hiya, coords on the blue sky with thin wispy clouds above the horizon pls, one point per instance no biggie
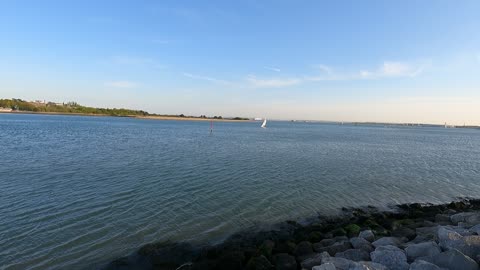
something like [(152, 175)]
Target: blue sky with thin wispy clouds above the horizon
[(384, 61)]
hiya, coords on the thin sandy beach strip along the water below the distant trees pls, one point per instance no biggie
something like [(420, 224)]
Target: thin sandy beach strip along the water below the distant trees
[(151, 117)]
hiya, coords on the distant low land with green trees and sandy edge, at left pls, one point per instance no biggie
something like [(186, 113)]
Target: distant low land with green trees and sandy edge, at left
[(15, 105)]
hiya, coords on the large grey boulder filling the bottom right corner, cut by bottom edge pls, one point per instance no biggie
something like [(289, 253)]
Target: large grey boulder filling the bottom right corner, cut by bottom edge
[(453, 260)]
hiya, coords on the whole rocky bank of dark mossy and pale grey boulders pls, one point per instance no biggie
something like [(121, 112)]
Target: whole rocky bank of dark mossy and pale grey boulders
[(409, 236)]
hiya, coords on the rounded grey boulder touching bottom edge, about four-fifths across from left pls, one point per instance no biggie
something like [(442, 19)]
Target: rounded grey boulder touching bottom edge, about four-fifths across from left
[(390, 256)]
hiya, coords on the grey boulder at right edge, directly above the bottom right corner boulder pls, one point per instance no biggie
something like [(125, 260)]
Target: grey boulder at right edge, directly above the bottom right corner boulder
[(468, 245)]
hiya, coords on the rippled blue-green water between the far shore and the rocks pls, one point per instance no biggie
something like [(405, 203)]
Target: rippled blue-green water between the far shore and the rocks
[(77, 192)]
